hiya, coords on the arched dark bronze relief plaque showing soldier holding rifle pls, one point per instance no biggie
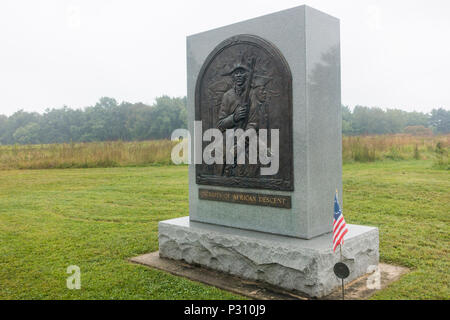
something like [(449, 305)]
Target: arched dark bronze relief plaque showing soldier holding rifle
[(245, 83)]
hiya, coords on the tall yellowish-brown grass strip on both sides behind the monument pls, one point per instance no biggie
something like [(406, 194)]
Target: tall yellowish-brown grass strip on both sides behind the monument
[(142, 153)]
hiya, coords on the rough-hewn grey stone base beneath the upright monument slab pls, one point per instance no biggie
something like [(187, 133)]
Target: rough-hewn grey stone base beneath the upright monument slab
[(304, 266)]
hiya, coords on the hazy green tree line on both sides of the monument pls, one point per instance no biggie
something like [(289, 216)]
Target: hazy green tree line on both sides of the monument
[(108, 120)]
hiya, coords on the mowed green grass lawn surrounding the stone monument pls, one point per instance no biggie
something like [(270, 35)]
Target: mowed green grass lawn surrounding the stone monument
[(97, 218)]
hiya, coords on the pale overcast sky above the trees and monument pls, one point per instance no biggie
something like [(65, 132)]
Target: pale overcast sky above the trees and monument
[(395, 54)]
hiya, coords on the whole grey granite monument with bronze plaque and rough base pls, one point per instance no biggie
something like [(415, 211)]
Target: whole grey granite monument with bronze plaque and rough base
[(276, 72)]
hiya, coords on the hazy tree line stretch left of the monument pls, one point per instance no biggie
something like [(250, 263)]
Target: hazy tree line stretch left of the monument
[(107, 120)]
